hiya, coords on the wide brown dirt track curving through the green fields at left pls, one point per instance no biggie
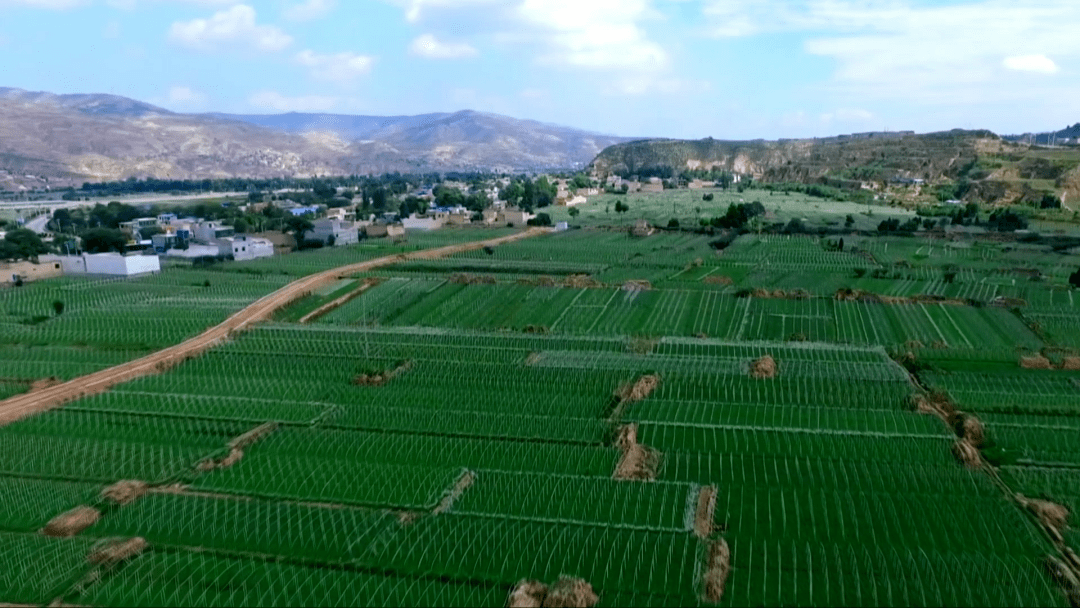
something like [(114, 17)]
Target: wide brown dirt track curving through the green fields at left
[(28, 404)]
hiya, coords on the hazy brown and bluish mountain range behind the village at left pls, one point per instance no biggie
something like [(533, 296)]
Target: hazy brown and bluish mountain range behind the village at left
[(59, 141)]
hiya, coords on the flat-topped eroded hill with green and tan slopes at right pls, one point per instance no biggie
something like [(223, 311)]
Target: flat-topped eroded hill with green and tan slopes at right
[(989, 169)]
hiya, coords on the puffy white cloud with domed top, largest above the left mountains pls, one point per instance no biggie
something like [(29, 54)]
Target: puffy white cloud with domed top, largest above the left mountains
[(235, 28)]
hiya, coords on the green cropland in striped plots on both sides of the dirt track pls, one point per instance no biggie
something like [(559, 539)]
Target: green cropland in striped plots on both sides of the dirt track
[(666, 424)]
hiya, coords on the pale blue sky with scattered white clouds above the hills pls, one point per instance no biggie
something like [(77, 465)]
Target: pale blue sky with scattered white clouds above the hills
[(730, 70)]
